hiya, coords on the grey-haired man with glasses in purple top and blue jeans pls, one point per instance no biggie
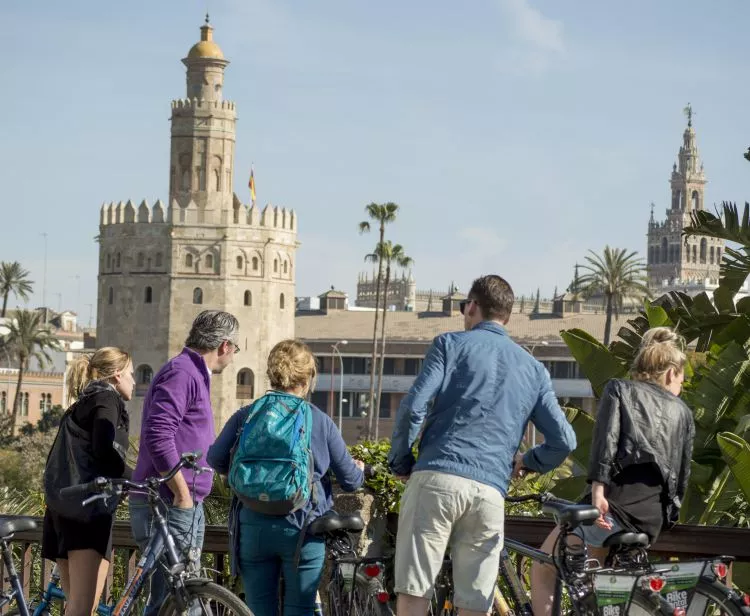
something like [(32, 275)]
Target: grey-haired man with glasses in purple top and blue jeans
[(177, 418)]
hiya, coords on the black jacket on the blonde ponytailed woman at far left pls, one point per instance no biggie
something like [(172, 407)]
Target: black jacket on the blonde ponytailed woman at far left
[(100, 410)]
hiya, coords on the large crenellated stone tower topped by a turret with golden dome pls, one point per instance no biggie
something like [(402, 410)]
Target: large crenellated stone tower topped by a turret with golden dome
[(160, 266)]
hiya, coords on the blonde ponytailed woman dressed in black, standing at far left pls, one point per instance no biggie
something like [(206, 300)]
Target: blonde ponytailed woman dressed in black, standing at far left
[(95, 426)]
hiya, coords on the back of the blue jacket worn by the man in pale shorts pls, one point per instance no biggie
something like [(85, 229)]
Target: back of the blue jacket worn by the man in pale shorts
[(491, 390)]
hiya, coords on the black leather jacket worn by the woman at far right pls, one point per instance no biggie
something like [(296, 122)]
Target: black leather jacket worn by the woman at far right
[(641, 422)]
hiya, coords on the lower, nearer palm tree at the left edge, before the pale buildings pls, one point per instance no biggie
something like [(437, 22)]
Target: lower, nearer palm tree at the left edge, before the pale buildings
[(29, 337)]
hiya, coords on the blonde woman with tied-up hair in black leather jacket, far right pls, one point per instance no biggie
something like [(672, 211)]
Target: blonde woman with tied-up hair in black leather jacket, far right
[(640, 454)]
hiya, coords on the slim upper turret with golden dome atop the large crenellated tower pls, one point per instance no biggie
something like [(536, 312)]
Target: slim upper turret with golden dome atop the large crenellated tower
[(203, 132)]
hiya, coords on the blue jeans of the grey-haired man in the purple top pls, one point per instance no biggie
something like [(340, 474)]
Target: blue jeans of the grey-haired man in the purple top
[(187, 527)]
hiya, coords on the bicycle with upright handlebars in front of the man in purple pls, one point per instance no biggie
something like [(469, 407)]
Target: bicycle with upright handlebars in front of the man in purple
[(185, 590)]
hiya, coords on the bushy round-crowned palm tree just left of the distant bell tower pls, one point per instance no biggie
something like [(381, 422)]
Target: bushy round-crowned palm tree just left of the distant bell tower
[(616, 274)]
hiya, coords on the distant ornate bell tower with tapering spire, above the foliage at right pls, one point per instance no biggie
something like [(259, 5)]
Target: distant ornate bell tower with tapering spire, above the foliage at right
[(673, 263)]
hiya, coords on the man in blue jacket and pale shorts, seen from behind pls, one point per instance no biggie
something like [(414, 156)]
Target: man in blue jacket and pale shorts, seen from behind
[(475, 395)]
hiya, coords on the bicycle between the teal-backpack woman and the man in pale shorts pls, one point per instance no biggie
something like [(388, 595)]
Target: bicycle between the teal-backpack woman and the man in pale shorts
[(356, 584)]
